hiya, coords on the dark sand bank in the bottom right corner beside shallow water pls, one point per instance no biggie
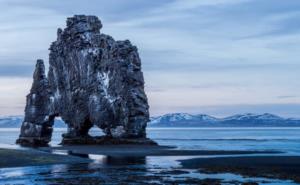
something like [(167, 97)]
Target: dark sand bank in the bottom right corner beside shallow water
[(279, 167)]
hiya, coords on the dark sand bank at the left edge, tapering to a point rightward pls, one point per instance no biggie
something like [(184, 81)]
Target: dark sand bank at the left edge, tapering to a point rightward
[(30, 157)]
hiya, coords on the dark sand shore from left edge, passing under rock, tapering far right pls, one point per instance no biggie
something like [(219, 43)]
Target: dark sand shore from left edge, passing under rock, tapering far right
[(74, 154)]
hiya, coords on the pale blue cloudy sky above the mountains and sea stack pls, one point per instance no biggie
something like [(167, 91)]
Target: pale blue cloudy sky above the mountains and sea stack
[(217, 57)]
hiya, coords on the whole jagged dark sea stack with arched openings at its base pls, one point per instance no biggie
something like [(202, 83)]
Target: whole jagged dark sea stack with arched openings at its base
[(92, 80)]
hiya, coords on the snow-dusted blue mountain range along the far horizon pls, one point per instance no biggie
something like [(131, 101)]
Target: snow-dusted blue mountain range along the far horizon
[(189, 120)]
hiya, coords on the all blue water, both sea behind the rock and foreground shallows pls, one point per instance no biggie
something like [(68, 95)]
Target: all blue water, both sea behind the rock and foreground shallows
[(115, 170)]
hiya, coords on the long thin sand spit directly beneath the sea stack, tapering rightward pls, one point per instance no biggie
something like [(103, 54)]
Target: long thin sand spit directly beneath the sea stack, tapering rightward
[(142, 150)]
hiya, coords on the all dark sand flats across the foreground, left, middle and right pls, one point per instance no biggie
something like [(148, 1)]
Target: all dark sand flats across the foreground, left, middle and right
[(276, 167)]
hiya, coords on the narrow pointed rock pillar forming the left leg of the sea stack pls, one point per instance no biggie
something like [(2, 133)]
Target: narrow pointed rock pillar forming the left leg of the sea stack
[(37, 126)]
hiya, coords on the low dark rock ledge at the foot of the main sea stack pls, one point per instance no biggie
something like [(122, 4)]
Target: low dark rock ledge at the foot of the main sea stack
[(105, 140)]
